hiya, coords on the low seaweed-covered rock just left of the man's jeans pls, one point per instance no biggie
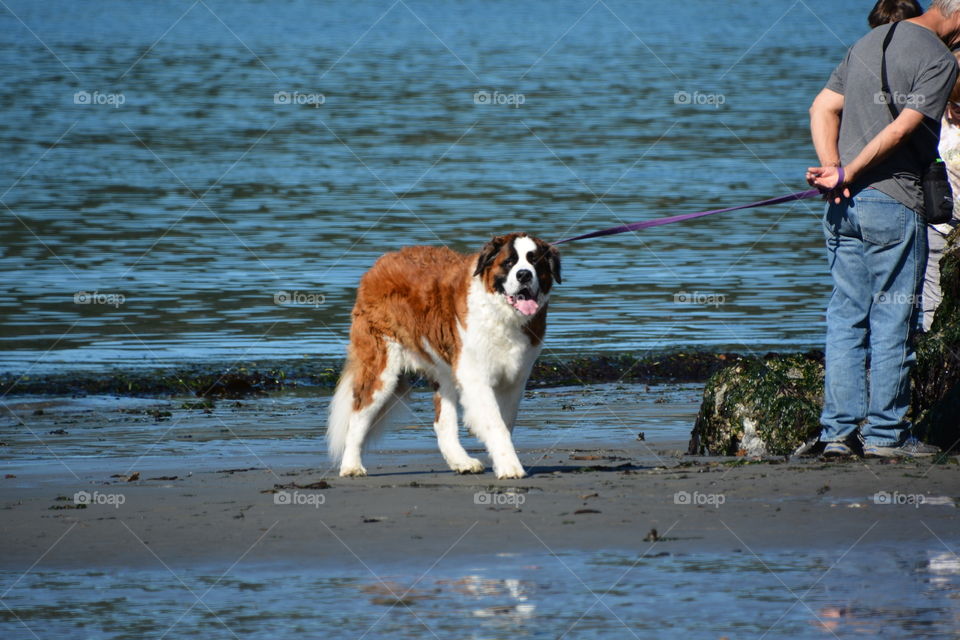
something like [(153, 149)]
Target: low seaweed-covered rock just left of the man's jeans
[(760, 407)]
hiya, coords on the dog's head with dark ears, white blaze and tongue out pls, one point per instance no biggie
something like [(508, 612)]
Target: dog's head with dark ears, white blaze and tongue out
[(520, 268)]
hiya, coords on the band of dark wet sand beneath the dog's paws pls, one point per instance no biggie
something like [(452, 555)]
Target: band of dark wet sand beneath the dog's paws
[(410, 508)]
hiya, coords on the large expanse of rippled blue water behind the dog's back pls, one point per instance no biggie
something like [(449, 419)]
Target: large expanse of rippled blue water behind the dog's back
[(163, 229)]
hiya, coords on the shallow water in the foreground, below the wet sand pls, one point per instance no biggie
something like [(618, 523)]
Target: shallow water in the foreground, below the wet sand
[(866, 593)]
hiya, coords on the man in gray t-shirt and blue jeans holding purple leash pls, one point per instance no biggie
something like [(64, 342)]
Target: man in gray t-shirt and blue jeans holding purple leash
[(876, 242)]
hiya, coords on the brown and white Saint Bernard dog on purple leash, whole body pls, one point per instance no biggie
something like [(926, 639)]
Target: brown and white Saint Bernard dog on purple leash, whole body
[(472, 324)]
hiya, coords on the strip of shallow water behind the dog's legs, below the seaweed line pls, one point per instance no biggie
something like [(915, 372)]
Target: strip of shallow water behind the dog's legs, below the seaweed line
[(287, 428)]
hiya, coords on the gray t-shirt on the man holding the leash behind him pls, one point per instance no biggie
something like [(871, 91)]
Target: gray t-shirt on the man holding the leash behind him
[(921, 72)]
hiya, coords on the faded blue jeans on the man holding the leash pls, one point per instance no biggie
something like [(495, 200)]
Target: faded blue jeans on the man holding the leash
[(877, 250)]
